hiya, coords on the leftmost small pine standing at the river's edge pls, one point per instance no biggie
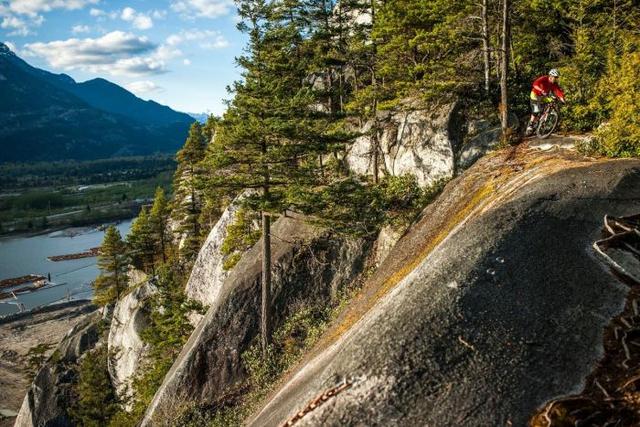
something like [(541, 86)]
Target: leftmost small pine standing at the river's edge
[(113, 264)]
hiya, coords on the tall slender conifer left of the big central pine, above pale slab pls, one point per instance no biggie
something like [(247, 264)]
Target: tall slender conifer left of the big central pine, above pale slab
[(188, 194)]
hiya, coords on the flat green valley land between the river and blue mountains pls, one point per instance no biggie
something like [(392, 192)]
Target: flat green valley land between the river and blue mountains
[(53, 195)]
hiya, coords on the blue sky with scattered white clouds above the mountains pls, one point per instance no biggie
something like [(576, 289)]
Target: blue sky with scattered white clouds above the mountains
[(179, 53)]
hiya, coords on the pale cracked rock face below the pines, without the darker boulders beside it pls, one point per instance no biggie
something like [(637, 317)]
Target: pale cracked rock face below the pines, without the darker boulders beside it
[(420, 142)]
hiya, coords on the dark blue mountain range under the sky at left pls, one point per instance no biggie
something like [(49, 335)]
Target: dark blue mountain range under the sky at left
[(47, 116)]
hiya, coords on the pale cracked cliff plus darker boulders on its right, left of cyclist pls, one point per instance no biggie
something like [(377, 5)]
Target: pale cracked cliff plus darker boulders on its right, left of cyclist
[(431, 143)]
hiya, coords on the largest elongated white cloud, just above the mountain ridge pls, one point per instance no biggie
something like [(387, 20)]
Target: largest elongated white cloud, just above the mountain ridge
[(115, 53)]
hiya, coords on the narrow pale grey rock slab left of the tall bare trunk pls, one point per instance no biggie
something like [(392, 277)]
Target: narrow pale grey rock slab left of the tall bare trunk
[(208, 274)]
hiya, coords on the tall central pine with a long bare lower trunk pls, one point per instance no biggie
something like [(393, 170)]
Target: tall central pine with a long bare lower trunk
[(271, 137)]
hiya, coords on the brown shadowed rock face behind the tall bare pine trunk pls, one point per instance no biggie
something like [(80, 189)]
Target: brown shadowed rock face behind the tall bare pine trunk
[(308, 265)]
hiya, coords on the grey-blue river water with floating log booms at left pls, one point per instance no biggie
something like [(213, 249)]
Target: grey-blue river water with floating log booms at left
[(20, 256)]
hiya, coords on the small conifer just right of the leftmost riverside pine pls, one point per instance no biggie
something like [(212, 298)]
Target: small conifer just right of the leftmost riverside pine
[(141, 242)]
